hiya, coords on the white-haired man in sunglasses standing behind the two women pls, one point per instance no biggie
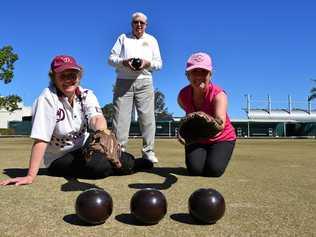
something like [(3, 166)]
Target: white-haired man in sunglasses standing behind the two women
[(135, 56)]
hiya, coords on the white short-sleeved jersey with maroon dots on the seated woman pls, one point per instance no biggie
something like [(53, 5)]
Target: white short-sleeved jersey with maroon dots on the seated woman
[(64, 127)]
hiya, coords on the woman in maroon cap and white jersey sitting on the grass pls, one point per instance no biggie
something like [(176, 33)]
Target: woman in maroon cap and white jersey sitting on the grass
[(62, 115)]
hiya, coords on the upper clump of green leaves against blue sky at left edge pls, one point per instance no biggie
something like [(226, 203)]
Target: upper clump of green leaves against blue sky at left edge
[(7, 60)]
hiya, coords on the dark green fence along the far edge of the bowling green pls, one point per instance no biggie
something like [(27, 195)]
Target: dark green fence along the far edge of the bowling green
[(243, 129)]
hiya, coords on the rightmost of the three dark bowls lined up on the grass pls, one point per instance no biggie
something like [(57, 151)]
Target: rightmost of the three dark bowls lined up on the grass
[(206, 206)]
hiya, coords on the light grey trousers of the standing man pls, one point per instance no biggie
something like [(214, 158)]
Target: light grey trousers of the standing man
[(141, 93)]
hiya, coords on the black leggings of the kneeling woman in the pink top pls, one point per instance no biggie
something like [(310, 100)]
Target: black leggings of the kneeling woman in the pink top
[(208, 159)]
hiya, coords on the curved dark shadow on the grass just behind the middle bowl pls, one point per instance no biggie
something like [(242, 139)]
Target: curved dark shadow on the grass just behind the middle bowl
[(166, 172)]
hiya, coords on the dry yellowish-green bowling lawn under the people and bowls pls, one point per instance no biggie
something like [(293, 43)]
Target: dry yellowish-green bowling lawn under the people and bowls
[(269, 188)]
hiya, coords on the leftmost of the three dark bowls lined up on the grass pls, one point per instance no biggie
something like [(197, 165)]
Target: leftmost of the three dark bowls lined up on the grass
[(94, 206)]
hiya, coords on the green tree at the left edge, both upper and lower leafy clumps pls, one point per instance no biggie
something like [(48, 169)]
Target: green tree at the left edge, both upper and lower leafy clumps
[(7, 60)]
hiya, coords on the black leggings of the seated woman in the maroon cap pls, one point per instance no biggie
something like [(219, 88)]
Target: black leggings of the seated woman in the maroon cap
[(73, 164)]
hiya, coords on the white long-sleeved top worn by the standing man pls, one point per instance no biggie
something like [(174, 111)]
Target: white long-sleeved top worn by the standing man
[(128, 46)]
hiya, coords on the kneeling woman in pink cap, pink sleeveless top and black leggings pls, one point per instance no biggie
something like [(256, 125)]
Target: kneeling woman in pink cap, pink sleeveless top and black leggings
[(211, 156)]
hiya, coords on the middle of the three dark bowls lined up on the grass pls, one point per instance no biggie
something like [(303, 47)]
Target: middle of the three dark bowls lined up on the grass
[(148, 206)]
